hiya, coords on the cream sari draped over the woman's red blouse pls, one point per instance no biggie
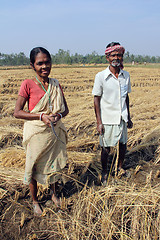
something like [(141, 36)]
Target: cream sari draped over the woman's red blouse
[(45, 154)]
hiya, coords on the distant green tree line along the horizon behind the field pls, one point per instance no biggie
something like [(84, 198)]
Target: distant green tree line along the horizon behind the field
[(64, 57)]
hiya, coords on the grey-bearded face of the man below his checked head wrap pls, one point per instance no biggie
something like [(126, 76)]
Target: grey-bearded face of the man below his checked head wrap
[(115, 59)]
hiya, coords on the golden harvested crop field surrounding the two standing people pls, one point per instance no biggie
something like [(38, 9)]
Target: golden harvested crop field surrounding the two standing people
[(127, 208)]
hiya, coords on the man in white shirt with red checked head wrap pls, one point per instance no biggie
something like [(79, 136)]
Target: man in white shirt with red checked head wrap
[(111, 103)]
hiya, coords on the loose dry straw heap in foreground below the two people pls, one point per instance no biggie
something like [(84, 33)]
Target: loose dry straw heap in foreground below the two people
[(117, 211)]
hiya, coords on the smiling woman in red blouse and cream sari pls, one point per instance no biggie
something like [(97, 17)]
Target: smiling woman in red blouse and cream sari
[(45, 145)]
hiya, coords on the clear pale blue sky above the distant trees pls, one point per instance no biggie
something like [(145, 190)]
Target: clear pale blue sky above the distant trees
[(80, 26)]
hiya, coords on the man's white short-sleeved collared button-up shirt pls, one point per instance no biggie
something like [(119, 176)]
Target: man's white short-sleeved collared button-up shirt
[(113, 92)]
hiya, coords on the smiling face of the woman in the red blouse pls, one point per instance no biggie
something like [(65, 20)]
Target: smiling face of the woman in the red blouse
[(42, 65)]
